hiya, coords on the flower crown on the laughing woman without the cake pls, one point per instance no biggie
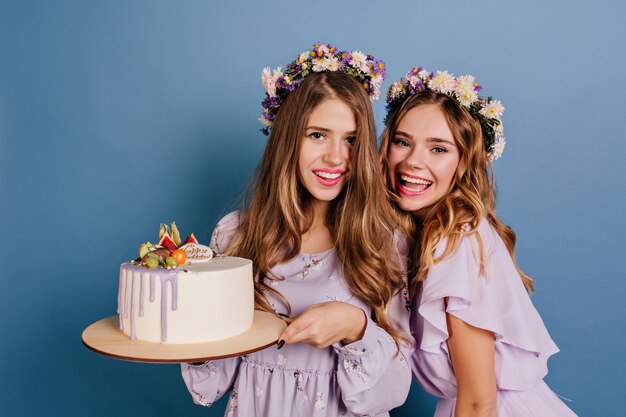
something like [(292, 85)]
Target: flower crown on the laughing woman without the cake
[(464, 90)]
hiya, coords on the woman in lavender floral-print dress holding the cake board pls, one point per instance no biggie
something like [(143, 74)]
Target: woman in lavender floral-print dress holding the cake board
[(323, 253)]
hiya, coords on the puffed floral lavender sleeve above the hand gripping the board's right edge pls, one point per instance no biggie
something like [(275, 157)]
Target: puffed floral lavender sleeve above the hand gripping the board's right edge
[(372, 377)]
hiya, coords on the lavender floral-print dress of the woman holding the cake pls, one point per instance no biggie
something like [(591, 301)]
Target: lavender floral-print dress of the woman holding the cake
[(362, 378)]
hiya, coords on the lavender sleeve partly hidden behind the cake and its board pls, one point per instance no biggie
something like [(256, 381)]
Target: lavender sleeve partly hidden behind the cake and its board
[(209, 381)]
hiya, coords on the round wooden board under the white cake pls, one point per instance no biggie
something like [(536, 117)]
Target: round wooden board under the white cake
[(106, 338)]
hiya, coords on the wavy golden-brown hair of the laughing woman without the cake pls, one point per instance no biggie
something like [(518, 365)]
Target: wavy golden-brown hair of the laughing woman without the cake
[(472, 197)]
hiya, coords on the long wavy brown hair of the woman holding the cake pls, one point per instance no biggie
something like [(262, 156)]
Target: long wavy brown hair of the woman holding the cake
[(278, 209)]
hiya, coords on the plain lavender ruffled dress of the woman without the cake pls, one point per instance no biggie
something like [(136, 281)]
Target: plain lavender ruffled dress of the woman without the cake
[(496, 301)]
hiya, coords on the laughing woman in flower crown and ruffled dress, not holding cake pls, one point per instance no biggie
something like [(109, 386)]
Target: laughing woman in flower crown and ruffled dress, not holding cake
[(481, 346)]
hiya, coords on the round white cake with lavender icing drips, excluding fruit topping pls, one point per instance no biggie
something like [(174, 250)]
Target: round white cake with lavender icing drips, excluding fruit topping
[(195, 303)]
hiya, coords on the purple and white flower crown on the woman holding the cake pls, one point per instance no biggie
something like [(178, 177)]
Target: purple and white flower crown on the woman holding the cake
[(369, 72)]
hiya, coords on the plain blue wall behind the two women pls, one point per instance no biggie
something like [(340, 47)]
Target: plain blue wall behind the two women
[(116, 116)]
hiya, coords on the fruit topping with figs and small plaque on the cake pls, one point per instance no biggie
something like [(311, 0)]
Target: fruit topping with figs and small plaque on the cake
[(171, 252)]
